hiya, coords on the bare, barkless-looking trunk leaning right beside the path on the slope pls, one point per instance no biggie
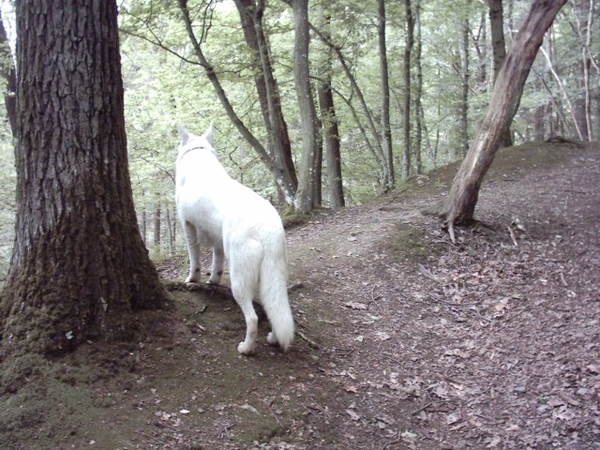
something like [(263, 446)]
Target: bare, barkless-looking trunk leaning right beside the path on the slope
[(460, 204)]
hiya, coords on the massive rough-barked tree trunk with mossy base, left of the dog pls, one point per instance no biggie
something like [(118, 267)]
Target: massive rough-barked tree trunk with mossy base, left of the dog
[(79, 268)]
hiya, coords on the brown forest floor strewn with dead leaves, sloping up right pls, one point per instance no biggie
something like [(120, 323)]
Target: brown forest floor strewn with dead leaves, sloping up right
[(405, 340)]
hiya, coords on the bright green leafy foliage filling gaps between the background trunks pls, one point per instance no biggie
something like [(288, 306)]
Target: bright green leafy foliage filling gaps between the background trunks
[(165, 85)]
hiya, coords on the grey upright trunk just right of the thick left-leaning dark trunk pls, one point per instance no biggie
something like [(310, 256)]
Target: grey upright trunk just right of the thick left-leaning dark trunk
[(305, 200)]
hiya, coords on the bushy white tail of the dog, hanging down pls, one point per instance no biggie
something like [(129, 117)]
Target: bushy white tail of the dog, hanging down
[(273, 292)]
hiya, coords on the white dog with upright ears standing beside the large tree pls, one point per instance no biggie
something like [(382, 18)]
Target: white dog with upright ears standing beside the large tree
[(216, 211)]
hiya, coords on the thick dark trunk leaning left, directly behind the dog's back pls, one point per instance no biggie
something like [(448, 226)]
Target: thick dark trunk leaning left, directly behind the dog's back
[(251, 14)]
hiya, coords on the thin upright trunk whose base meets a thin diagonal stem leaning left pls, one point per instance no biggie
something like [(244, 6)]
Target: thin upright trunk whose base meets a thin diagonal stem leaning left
[(386, 129)]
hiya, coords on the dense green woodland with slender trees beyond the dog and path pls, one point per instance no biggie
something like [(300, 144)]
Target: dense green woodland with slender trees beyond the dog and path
[(395, 89)]
